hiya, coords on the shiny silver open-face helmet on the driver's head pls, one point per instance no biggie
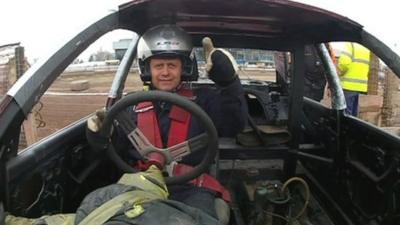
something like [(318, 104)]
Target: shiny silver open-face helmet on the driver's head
[(167, 41)]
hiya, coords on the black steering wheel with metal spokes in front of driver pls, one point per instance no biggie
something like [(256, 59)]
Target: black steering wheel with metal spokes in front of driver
[(208, 139)]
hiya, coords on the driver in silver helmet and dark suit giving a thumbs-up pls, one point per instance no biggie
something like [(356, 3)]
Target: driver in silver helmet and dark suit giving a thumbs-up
[(167, 61)]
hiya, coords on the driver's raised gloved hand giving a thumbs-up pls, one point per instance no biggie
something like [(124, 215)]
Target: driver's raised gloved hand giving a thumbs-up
[(221, 66)]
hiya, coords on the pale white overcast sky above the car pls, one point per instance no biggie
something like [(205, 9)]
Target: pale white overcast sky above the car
[(44, 25)]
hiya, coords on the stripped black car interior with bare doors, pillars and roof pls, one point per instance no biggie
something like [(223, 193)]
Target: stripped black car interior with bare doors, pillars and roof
[(339, 169)]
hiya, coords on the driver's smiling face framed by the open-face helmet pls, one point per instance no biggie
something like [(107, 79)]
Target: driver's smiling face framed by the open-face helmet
[(165, 73)]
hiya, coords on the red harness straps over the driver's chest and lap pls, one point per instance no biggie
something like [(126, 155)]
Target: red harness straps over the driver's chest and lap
[(147, 122)]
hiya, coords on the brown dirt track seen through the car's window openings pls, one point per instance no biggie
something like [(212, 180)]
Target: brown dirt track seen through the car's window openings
[(60, 106)]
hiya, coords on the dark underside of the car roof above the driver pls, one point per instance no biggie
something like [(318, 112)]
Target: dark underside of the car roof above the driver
[(262, 24)]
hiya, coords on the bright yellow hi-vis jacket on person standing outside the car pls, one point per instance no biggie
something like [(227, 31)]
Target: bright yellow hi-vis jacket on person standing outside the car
[(354, 67)]
